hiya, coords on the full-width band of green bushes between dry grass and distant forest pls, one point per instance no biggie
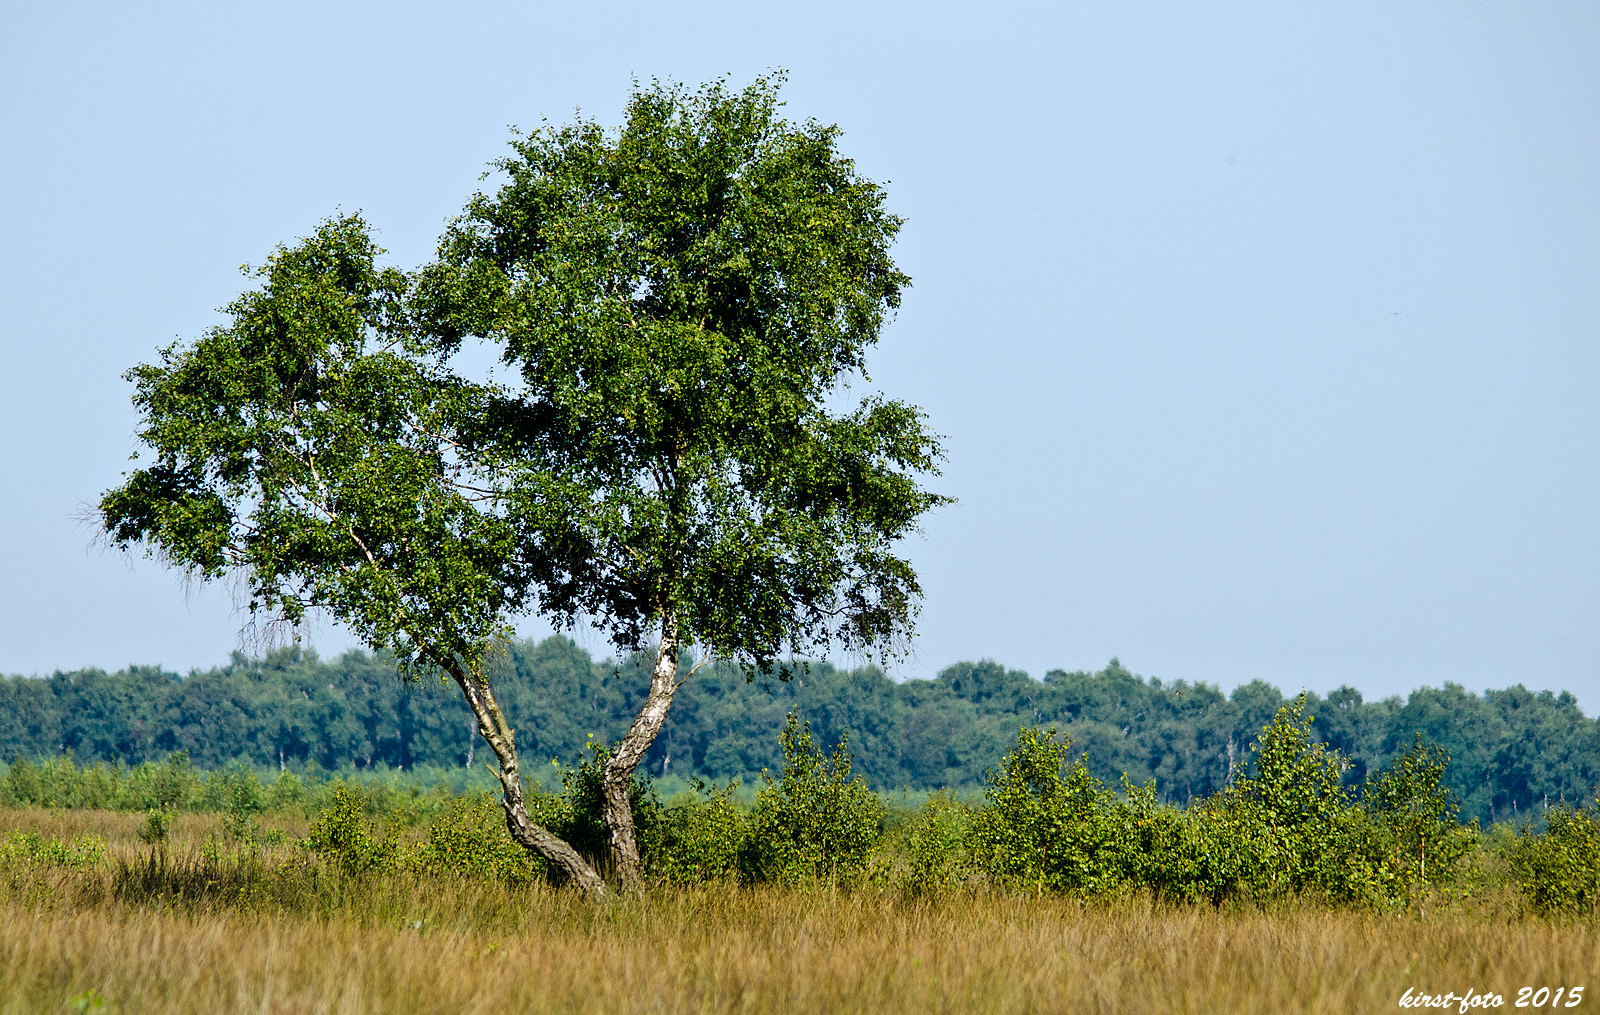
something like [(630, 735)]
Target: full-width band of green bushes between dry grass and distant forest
[(1289, 828)]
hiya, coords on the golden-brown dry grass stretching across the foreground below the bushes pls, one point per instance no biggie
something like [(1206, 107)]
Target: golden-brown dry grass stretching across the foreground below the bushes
[(444, 947)]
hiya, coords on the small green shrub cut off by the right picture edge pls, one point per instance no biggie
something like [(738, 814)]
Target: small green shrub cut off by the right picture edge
[(1559, 870)]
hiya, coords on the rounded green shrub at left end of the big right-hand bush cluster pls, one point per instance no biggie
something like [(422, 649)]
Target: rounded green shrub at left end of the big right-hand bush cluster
[(1046, 825)]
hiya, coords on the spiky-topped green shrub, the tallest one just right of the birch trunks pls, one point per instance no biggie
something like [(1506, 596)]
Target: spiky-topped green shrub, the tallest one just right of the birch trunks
[(815, 822)]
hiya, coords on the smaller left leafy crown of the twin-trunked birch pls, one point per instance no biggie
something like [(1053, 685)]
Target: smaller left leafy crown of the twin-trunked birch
[(306, 447)]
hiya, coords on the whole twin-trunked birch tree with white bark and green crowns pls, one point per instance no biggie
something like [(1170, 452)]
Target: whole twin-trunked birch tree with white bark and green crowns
[(679, 302)]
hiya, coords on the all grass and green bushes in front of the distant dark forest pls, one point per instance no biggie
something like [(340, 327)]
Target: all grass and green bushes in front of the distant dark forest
[(161, 886)]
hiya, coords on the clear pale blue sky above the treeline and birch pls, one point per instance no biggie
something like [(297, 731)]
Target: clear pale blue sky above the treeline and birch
[(1266, 337)]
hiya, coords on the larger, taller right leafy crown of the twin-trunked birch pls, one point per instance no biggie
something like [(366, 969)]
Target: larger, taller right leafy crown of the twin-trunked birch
[(679, 300)]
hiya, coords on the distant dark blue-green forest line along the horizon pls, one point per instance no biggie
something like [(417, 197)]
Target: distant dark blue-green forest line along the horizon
[(1511, 750)]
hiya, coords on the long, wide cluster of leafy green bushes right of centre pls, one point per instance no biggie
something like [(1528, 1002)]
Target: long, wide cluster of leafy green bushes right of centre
[(1292, 828)]
